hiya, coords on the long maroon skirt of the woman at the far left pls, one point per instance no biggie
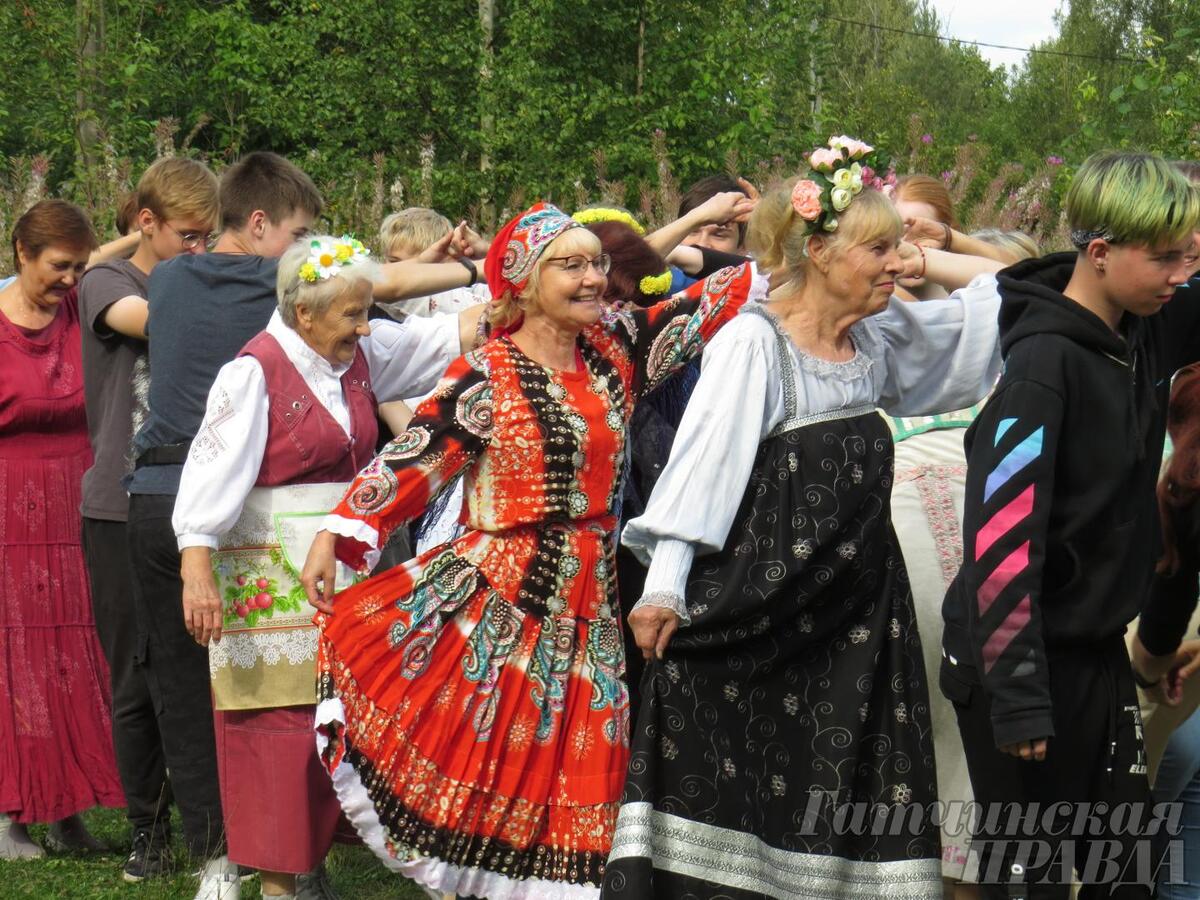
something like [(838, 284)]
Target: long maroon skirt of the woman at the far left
[(56, 711)]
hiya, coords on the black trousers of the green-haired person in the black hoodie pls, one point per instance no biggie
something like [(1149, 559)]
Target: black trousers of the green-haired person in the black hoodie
[(1087, 807)]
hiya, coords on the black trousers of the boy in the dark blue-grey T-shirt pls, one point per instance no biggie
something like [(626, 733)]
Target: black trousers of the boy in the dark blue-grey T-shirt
[(177, 671)]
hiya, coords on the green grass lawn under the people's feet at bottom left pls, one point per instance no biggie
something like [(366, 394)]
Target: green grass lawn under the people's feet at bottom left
[(355, 872)]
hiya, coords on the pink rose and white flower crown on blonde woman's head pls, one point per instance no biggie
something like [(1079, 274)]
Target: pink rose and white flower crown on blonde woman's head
[(839, 173)]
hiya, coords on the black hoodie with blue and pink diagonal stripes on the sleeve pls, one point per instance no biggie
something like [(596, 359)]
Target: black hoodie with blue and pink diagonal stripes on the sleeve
[(1060, 531)]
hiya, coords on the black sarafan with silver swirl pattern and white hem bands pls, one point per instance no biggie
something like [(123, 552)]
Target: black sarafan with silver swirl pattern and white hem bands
[(785, 741)]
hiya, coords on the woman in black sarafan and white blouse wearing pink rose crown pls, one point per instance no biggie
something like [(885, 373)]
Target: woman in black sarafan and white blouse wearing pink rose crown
[(785, 712)]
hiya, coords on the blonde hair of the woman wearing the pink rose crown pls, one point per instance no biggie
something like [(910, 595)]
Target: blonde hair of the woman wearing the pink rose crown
[(779, 238)]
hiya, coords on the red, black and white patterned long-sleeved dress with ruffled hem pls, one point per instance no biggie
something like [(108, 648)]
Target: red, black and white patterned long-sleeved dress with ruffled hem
[(473, 710)]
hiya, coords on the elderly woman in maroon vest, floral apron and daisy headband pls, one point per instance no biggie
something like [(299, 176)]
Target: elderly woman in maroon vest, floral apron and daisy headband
[(289, 425)]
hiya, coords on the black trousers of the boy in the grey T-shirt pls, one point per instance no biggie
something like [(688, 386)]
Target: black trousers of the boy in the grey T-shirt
[(140, 760)]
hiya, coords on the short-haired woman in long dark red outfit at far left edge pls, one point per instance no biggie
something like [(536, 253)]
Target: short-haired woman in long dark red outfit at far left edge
[(56, 729)]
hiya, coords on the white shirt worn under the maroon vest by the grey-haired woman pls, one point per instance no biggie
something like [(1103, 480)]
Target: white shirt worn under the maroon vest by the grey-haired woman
[(405, 359)]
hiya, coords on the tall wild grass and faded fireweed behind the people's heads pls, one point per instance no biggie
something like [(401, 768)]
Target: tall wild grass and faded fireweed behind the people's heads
[(988, 193)]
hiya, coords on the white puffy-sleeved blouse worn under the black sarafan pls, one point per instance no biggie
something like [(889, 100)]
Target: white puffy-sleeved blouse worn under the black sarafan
[(911, 359)]
